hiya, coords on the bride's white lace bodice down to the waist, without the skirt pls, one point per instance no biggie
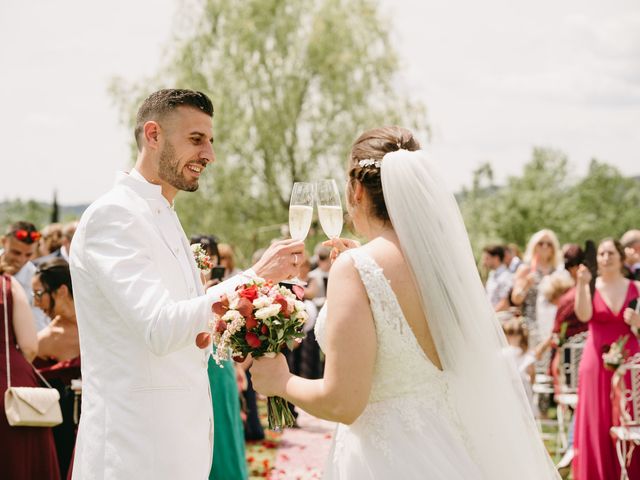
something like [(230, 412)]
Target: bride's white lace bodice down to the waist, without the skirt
[(401, 368)]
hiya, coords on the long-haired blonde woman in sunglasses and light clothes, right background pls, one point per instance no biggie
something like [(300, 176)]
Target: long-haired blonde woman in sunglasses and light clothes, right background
[(542, 257)]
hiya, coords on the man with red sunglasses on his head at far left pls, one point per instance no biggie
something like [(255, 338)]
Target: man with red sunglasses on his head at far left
[(19, 245)]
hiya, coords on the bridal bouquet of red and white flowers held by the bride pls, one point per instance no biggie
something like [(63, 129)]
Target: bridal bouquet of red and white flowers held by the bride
[(259, 318)]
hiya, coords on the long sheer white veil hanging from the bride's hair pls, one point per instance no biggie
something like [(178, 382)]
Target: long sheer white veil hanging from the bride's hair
[(485, 387)]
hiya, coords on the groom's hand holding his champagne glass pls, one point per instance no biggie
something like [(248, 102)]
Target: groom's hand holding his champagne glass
[(281, 261)]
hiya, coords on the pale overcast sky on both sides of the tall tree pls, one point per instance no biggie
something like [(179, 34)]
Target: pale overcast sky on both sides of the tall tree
[(498, 77)]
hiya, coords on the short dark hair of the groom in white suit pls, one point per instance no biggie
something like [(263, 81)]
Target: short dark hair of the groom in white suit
[(159, 103)]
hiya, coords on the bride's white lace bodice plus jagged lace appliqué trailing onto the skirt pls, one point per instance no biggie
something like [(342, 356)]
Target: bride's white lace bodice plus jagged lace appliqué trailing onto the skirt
[(406, 384)]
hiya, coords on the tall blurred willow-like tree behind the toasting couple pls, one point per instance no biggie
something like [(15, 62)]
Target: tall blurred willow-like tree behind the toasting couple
[(293, 83)]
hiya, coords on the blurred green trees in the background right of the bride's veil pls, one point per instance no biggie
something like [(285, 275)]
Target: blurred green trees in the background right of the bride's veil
[(604, 203)]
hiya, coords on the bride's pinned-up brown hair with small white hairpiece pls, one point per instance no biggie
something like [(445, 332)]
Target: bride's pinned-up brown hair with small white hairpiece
[(364, 161)]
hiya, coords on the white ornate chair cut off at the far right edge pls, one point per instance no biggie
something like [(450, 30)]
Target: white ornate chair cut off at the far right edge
[(626, 405)]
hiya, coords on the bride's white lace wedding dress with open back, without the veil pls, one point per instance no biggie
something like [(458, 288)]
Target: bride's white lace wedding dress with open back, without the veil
[(408, 429)]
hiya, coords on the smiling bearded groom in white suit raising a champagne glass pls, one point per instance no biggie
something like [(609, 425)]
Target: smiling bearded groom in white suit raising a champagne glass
[(146, 407)]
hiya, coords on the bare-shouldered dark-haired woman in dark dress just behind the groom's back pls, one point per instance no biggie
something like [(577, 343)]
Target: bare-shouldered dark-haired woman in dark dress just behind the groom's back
[(59, 349)]
